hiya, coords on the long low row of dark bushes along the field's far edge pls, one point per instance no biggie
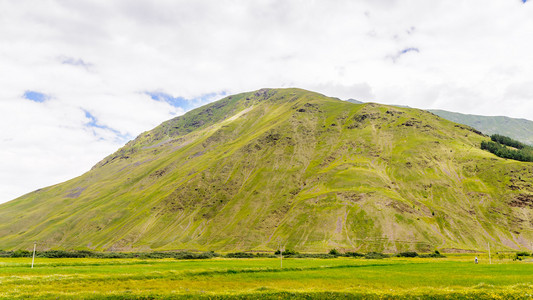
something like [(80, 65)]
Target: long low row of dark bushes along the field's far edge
[(205, 255)]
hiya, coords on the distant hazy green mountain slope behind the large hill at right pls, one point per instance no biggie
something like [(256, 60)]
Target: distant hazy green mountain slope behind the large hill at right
[(519, 129)]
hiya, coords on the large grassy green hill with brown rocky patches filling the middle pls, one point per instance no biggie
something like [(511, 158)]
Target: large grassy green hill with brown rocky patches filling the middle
[(287, 166)]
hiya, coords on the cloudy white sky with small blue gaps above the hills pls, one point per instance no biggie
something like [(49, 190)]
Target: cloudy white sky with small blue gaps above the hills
[(78, 79)]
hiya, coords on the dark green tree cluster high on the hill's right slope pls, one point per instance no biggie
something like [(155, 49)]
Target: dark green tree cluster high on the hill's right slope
[(498, 147)]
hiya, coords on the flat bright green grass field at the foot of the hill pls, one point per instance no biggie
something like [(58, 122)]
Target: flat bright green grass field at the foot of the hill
[(345, 278)]
